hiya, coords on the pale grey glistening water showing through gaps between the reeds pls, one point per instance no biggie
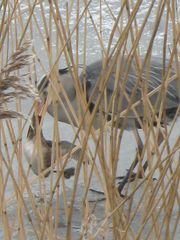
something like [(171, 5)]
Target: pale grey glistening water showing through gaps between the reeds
[(93, 53)]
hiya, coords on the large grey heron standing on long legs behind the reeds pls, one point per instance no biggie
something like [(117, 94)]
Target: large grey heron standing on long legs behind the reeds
[(124, 83)]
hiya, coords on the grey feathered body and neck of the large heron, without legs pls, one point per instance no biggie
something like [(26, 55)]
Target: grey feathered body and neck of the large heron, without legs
[(128, 87)]
